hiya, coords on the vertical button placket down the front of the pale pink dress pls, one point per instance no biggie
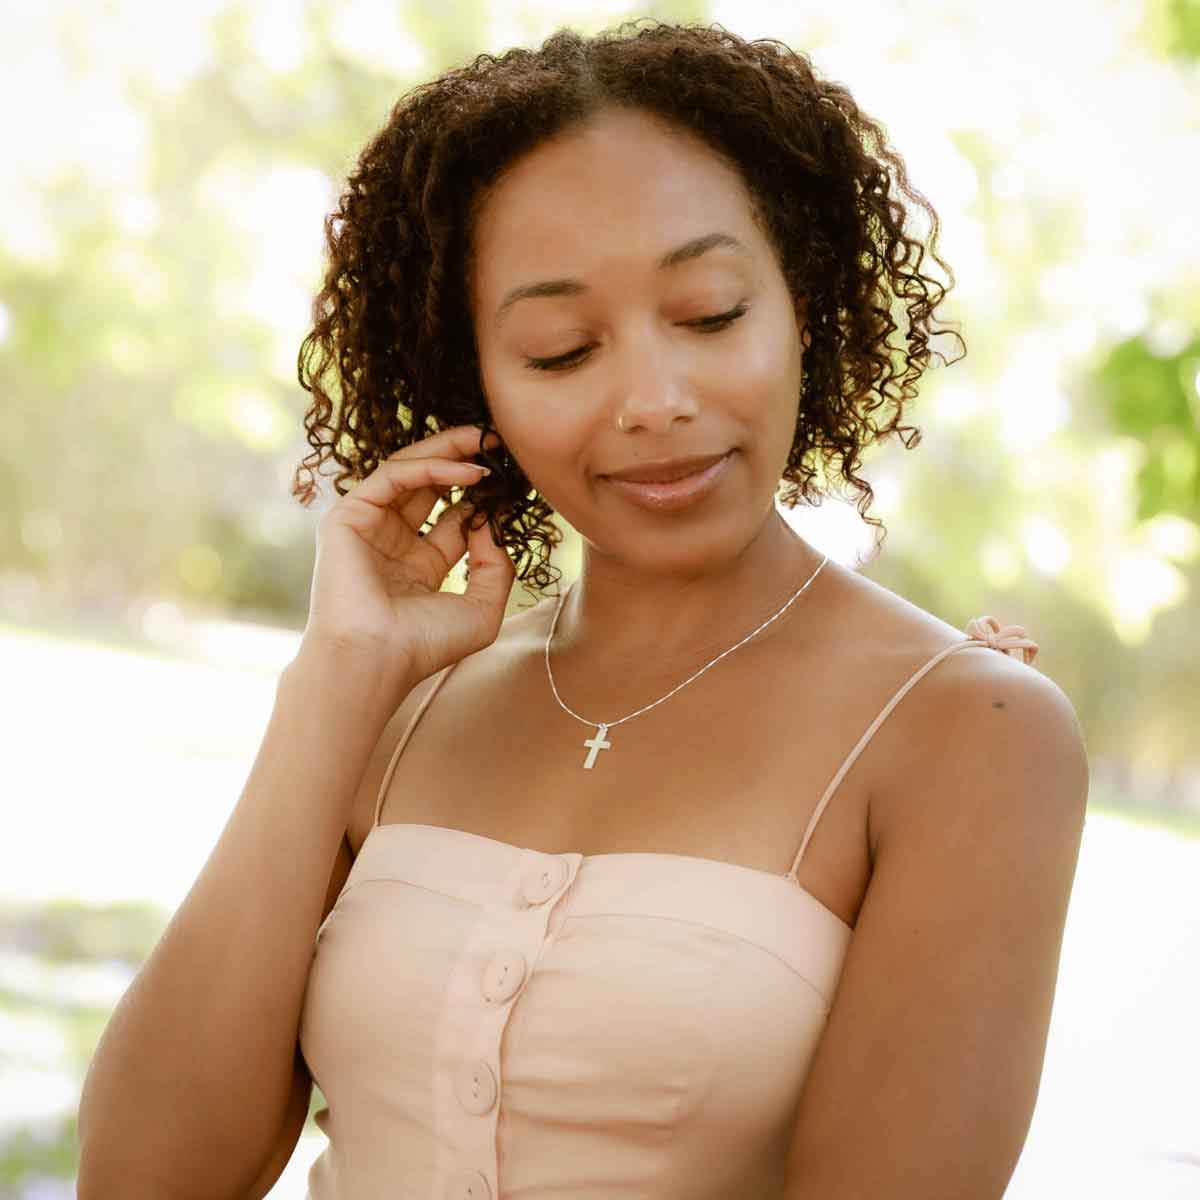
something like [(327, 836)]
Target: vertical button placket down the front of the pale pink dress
[(482, 993)]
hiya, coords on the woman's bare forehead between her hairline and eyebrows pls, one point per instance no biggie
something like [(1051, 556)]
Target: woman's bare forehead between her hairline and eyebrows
[(621, 190)]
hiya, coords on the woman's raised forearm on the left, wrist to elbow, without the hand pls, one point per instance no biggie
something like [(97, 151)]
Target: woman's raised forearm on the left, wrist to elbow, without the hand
[(195, 1073)]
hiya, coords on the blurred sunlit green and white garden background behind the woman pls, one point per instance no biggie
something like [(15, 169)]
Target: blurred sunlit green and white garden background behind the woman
[(167, 173)]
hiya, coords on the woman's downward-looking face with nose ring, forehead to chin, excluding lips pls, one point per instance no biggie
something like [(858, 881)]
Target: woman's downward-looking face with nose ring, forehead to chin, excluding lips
[(587, 219)]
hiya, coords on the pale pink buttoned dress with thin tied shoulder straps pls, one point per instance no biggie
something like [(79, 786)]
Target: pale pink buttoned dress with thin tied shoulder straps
[(493, 1022)]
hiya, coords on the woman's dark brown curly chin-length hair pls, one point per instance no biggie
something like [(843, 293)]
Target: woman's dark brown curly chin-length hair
[(393, 334)]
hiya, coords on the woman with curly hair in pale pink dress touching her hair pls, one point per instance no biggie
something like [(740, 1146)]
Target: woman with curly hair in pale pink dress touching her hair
[(587, 934)]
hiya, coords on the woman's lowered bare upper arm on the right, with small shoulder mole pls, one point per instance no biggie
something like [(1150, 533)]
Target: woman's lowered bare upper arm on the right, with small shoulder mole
[(925, 1083)]
